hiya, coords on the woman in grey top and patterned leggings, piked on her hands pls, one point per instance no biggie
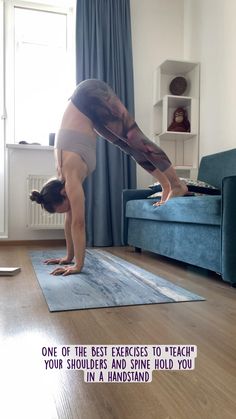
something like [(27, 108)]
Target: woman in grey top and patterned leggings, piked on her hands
[(95, 109)]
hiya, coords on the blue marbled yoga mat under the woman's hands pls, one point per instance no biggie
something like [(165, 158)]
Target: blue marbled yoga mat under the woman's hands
[(106, 281)]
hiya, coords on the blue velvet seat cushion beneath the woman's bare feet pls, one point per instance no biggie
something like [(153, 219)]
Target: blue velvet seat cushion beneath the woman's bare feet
[(192, 209)]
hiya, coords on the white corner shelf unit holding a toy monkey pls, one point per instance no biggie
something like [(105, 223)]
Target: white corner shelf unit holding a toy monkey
[(181, 147)]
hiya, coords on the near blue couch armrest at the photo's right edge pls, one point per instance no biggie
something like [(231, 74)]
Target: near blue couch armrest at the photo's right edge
[(228, 232)]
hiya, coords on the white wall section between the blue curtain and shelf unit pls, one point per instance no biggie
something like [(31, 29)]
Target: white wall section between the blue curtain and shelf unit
[(157, 34)]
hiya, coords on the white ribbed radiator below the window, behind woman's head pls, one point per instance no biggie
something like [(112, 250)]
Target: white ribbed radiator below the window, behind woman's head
[(38, 218)]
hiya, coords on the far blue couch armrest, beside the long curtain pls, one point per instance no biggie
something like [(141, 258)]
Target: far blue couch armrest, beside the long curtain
[(129, 195)]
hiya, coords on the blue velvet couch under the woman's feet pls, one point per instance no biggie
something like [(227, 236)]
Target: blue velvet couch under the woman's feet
[(199, 230)]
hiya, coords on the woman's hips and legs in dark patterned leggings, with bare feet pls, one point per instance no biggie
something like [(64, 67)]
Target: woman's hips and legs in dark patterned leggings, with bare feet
[(111, 120)]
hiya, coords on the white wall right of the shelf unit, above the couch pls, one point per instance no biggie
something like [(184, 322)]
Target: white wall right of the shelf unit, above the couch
[(209, 37)]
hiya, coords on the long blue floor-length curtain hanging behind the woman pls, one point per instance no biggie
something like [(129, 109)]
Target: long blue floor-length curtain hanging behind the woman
[(104, 51)]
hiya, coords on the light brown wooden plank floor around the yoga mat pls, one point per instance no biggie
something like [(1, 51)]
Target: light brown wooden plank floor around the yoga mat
[(26, 325)]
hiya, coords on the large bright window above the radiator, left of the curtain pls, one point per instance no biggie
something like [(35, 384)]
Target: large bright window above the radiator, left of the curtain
[(42, 70)]
